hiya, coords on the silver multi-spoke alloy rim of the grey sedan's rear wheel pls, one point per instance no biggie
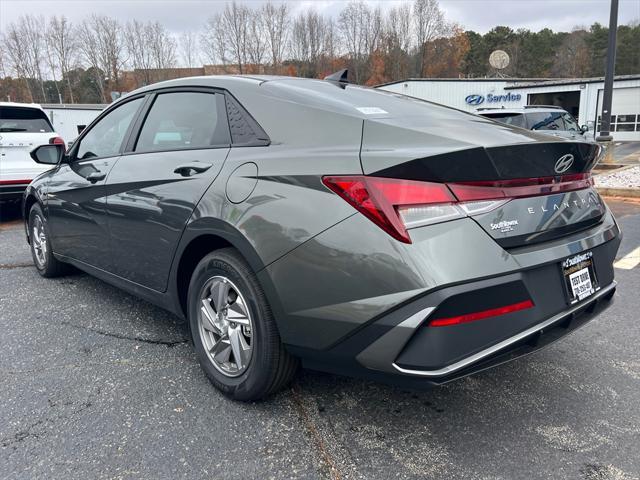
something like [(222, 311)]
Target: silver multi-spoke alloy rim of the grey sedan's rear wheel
[(225, 326)]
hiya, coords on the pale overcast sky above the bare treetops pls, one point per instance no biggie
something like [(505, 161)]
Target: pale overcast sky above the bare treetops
[(478, 15)]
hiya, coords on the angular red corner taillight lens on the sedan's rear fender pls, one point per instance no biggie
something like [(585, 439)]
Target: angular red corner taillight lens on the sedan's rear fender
[(378, 198)]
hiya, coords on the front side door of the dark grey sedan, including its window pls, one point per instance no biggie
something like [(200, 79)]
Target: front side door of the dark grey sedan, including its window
[(76, 199)]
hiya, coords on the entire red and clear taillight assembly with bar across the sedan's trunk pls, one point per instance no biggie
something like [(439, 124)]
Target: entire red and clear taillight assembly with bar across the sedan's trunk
[(397, 205)]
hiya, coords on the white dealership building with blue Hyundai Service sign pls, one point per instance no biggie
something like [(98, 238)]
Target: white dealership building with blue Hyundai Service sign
[(580, 97)]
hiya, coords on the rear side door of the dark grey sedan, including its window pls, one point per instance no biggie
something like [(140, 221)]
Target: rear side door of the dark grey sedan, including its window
[(180, 147)]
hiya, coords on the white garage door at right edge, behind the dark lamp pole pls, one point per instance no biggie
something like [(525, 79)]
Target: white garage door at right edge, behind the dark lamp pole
[(625, 113)]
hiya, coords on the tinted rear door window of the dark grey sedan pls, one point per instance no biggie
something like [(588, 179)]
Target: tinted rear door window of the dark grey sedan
[(182, 120)]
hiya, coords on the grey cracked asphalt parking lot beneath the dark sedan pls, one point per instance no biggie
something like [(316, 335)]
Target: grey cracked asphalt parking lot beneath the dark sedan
[(98, 384)]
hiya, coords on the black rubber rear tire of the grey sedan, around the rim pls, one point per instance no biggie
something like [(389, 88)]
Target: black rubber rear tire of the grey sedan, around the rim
[(270, 367)]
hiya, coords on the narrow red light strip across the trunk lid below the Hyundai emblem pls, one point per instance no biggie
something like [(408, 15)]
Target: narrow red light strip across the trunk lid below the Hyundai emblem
[(520, 187)]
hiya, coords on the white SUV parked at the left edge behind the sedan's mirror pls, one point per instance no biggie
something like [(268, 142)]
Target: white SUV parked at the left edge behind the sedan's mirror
[(23, 127)]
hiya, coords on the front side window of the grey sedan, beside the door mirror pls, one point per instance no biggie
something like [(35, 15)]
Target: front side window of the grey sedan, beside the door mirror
[(105, 137)]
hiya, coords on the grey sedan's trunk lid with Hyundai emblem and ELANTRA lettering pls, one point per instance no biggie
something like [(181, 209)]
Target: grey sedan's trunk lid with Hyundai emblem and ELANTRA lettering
[(474, 149)]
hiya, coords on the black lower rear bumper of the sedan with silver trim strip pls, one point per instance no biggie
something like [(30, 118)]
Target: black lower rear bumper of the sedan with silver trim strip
[(400, 347)]
